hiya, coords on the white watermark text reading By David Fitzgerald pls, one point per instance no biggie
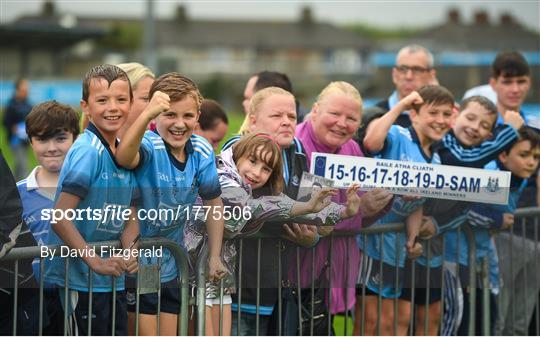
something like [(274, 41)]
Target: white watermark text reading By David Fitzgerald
[(101, 251)]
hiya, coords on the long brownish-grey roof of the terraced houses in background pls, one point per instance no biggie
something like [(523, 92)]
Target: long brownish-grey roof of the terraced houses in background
[(262, 34)]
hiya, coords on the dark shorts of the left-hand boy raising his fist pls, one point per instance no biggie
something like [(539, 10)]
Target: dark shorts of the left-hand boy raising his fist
[(148, 303)]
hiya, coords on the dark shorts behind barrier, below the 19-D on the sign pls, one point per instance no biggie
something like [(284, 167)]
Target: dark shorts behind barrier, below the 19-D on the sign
[(422, 288)]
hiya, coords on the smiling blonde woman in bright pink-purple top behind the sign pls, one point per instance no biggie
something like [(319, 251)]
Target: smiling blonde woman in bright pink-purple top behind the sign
[(333, 121)]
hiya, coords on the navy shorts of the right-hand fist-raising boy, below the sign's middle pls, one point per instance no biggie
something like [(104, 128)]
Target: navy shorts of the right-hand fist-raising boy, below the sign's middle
[(388, 284)]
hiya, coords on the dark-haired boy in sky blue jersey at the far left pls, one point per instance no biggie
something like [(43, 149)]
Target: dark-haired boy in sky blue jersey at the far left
[(52, 128)]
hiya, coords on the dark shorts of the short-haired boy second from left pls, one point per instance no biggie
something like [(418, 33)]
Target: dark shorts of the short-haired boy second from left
[(101, 313)]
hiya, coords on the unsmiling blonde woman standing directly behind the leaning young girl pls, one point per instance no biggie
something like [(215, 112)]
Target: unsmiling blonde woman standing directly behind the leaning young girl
[(272, 110)]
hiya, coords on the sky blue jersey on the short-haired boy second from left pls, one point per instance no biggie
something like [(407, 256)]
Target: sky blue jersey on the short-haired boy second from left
[(91, 173)]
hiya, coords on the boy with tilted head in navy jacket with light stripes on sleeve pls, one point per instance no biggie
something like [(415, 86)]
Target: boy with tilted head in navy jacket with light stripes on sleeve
[(472, 142)]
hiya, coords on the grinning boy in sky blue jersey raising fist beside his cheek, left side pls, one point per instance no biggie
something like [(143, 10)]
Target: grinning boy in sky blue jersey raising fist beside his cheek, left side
[(172, 167)]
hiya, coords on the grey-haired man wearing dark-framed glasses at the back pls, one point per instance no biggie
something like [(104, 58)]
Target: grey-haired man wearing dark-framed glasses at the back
[(413, 70)]
